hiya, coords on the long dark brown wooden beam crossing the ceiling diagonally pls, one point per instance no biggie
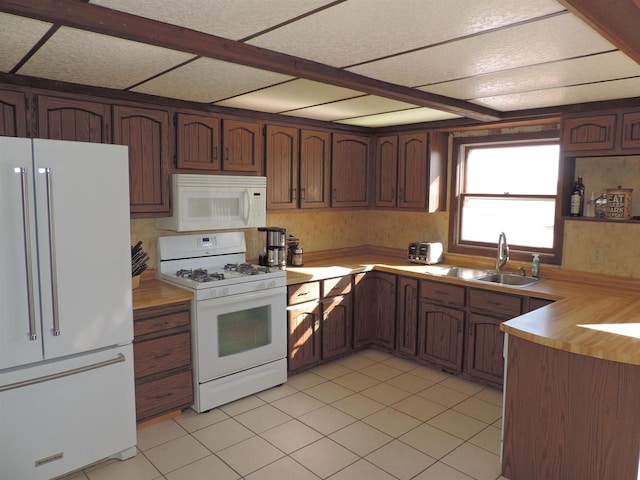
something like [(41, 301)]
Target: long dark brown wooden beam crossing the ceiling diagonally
[(114, 23)]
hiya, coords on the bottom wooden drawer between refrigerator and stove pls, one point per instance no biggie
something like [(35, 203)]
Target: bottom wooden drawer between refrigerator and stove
[(163, 395)]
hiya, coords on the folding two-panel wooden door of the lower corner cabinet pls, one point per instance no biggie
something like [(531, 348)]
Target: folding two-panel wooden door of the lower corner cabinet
[(375, 308)]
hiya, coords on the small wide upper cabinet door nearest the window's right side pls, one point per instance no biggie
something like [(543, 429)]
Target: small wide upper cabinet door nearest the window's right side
[(589, 133)]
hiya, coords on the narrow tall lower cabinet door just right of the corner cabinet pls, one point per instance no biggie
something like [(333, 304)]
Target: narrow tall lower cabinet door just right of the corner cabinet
[(407, 316)]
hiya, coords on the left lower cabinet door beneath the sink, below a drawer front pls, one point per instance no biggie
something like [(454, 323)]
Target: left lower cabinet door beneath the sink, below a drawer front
[(440, 335)]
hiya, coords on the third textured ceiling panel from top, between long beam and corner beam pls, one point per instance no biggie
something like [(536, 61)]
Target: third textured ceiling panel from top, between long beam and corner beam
[(555, 38)]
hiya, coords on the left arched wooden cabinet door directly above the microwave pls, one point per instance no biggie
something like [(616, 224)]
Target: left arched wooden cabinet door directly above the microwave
[(198, 142)]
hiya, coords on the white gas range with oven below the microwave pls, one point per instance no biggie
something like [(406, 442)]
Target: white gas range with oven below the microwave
[(238, 315)]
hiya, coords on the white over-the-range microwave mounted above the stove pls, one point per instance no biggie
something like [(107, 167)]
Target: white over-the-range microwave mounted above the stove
[(216, 202)]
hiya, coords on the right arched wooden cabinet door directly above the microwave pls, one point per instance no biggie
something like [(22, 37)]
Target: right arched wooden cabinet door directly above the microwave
[(242, 146)]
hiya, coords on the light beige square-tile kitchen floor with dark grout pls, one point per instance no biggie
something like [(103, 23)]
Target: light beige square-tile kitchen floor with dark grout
[(368, 416)]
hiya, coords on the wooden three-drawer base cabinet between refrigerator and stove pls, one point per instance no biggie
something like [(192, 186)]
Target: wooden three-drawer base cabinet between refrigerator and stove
[(162, 360)]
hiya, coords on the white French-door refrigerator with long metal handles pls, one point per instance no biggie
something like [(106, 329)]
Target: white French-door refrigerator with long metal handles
[(66, 326)]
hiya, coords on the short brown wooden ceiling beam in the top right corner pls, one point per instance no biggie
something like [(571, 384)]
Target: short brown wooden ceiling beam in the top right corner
[(616, 20)]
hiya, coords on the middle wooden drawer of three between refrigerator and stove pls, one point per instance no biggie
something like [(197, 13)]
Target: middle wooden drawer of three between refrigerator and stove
[(162, 354)]
